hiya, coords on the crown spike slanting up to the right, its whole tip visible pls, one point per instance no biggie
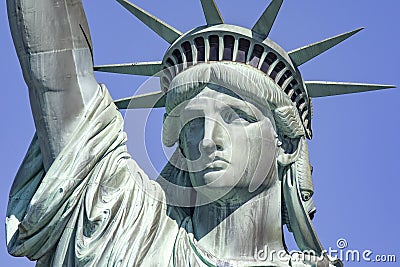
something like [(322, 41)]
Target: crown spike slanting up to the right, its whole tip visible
[(306, 53)]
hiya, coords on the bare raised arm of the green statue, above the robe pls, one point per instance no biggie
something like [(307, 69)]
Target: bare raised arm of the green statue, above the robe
[(52, 41)]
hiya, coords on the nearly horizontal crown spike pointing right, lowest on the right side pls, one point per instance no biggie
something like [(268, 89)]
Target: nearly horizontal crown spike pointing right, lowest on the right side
[(321, 89)]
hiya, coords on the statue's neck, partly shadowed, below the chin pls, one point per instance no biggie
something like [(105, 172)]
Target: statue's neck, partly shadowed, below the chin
[(238, 233)]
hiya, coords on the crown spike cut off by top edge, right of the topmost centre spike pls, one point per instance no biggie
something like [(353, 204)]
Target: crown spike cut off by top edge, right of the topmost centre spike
[(264, 24)]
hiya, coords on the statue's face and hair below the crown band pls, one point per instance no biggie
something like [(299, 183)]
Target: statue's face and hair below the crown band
[(227, 120)]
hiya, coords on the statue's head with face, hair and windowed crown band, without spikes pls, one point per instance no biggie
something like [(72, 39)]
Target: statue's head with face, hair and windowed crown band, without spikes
[(237, 114)]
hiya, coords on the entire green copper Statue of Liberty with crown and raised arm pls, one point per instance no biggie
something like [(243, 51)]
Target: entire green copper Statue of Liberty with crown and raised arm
[(236, 107)]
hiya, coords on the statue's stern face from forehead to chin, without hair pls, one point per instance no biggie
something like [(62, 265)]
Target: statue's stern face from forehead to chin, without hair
[(230, 144)]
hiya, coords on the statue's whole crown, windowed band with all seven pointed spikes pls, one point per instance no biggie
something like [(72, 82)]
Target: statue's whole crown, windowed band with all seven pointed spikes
[(217, 41)]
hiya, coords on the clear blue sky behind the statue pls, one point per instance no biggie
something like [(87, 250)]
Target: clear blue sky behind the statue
[(356, 137)]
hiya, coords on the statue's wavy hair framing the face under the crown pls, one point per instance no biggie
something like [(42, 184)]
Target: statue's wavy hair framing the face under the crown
[(251, 85)]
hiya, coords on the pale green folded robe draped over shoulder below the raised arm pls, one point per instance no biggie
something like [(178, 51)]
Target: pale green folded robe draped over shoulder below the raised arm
[(94, 206)]
